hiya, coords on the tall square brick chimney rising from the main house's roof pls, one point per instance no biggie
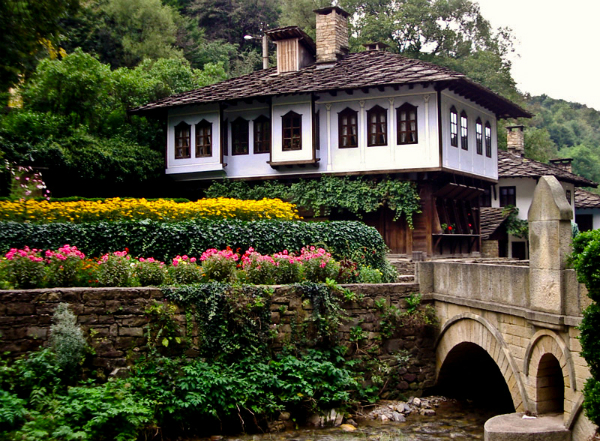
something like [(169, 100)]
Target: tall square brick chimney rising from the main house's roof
[(332, 34)]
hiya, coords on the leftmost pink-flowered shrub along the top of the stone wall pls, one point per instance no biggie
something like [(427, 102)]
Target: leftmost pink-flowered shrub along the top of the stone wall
[(25, 267)]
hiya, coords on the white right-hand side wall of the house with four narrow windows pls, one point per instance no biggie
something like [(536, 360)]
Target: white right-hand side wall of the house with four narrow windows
[(455, 158)]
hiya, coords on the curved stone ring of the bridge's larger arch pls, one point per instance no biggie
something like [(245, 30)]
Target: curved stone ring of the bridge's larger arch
[(471, 328)]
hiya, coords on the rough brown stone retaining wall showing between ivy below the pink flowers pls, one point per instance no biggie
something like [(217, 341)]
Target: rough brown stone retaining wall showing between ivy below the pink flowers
[(115, 322)]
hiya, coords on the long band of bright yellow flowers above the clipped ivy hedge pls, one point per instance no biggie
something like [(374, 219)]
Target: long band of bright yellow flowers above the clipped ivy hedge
[(138, 209)]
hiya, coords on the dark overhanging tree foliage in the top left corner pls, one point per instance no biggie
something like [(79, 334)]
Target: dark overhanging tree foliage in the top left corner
[(27, 27)]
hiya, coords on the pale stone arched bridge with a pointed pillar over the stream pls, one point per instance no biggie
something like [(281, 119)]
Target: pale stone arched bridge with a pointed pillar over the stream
[(518, 325)]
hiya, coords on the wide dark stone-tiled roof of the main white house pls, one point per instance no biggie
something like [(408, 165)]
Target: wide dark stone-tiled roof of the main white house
[(356, 71)]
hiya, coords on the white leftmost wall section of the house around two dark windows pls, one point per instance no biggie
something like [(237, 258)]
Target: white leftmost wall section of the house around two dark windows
[(192, 116)]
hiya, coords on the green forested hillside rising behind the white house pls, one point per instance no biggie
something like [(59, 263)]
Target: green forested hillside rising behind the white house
[(74, 67)]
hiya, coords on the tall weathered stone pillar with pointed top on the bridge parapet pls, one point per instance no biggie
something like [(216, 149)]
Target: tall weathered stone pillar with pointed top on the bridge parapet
[(549, 244)]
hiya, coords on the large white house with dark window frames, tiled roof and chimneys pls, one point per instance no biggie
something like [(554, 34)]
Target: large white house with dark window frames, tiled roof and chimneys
[(325, 111)]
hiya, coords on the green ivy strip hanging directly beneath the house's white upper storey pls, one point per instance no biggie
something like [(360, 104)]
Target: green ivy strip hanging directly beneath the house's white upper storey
[(356, 195)]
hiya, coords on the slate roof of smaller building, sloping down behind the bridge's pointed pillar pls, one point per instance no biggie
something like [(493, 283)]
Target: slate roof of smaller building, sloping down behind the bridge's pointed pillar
[(513, 166)]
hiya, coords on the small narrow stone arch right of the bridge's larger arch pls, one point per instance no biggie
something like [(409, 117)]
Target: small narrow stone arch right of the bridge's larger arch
[(547, 350)]
